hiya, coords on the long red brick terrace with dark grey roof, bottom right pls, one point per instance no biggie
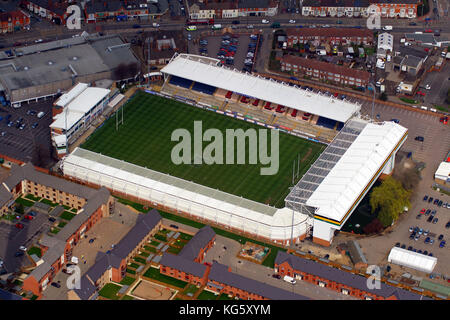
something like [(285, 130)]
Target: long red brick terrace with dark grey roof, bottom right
[(338, 280)]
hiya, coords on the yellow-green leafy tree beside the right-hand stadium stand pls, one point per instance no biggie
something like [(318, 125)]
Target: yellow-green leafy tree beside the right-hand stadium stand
[(390, 199)]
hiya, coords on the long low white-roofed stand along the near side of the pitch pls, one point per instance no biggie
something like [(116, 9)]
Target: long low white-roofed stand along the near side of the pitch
[(185, 196)]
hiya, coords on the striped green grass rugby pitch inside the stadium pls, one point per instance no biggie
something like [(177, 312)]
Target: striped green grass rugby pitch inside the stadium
[(145, 139)]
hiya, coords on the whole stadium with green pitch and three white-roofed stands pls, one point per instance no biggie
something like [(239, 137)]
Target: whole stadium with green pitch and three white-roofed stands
[(330, 156)]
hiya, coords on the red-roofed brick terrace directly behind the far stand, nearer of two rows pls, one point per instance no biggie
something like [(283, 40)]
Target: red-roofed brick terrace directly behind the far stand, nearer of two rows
[(325, 71)]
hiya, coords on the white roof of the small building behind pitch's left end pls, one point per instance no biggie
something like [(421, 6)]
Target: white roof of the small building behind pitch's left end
[(79, 106)]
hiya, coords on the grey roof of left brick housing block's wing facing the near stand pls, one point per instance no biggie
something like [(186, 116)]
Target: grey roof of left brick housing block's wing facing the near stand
[(28, 172)]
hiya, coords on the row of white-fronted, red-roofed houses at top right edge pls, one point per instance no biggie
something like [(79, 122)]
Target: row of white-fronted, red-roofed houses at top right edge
[(361, 8)]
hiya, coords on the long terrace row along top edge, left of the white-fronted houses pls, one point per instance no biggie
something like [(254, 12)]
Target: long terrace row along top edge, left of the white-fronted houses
[(96, 10)]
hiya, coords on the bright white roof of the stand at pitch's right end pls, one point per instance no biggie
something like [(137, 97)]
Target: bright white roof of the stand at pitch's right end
[(354, 171)]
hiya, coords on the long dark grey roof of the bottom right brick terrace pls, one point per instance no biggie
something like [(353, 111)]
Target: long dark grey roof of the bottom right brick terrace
[(343, 277)]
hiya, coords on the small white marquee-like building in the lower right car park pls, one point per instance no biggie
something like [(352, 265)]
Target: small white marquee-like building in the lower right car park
[(412, 259)]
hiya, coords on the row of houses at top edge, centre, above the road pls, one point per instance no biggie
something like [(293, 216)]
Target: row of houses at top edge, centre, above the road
[(215, 9)]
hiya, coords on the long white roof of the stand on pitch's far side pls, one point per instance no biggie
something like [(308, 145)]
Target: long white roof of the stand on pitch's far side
[(207, 71)]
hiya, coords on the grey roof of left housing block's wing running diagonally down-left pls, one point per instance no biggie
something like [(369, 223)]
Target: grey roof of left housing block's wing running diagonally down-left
[(100, 197)]
